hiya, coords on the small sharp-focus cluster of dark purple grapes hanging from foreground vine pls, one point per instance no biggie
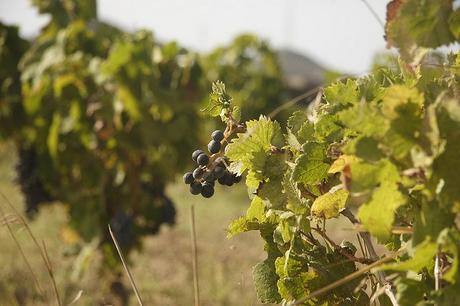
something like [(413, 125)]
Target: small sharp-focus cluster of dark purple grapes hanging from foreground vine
[(210, 169)]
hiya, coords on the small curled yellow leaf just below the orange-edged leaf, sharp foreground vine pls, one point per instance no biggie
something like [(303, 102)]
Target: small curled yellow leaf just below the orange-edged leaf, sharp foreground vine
[(330, 204)]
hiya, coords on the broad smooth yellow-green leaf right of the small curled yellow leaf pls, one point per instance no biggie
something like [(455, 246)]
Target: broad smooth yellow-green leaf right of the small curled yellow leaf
[(378, 214)]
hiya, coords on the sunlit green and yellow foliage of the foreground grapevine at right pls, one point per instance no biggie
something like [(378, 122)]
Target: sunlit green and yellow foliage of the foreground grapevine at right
[(385, 145)]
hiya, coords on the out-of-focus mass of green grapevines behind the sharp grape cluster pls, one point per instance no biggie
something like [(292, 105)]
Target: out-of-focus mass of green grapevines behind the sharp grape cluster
[(104, 119)]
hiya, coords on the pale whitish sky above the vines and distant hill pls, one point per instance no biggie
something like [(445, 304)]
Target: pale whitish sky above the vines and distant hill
[(340, 34)]
